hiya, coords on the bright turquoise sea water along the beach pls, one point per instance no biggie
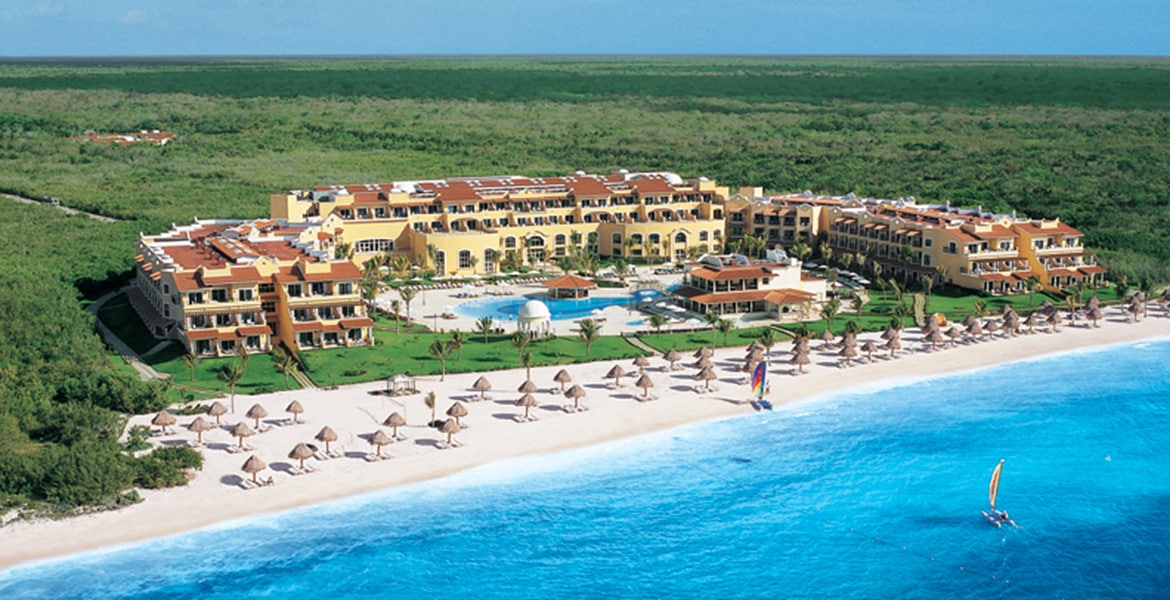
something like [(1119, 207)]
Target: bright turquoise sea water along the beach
[(866, 494)]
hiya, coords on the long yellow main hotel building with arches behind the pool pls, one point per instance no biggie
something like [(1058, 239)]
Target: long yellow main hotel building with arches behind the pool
[(469, 226)]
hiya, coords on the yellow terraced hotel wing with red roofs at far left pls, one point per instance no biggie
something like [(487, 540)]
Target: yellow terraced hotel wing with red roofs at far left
[(218, 286)]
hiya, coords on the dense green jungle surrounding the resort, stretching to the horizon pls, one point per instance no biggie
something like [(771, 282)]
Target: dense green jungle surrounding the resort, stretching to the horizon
[(1084, 140)]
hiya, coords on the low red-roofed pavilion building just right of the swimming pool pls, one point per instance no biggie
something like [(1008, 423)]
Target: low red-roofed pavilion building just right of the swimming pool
[(734, 285)]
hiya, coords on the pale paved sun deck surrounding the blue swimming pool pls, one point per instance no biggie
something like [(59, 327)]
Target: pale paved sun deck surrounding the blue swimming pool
[(430, 306)]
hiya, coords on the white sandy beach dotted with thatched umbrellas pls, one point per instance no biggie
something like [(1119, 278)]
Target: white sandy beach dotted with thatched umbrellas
[(494, 431)]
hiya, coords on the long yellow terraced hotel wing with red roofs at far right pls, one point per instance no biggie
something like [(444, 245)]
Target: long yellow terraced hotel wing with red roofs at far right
[(968, 249)]
